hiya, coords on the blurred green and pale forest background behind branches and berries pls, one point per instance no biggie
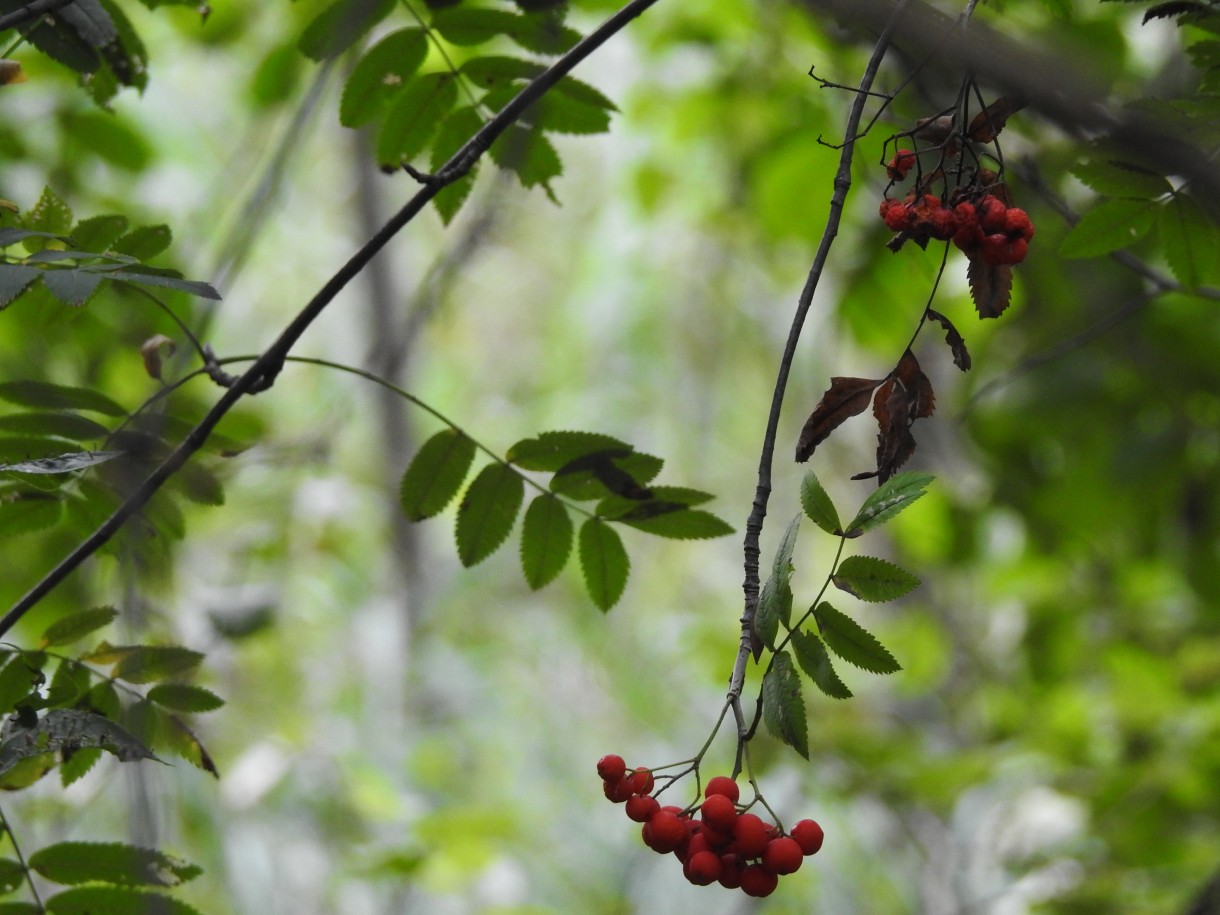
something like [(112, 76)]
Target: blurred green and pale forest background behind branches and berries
[(404, 735)]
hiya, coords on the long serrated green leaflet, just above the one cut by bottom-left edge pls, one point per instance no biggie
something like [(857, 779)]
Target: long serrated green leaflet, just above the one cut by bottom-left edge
[(74, 863)]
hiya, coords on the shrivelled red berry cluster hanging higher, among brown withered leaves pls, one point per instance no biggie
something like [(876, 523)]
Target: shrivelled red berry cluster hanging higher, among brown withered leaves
[(978, 223)]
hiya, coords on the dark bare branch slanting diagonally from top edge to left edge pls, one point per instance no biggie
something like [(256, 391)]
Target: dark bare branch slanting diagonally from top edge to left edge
[(263, 374)]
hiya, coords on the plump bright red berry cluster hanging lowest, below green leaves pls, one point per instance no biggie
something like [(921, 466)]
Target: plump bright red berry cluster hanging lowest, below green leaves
[(723, 845)]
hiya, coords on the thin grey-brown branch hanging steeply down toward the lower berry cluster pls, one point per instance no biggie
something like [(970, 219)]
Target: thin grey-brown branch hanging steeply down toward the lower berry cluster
[(763, 491)]
